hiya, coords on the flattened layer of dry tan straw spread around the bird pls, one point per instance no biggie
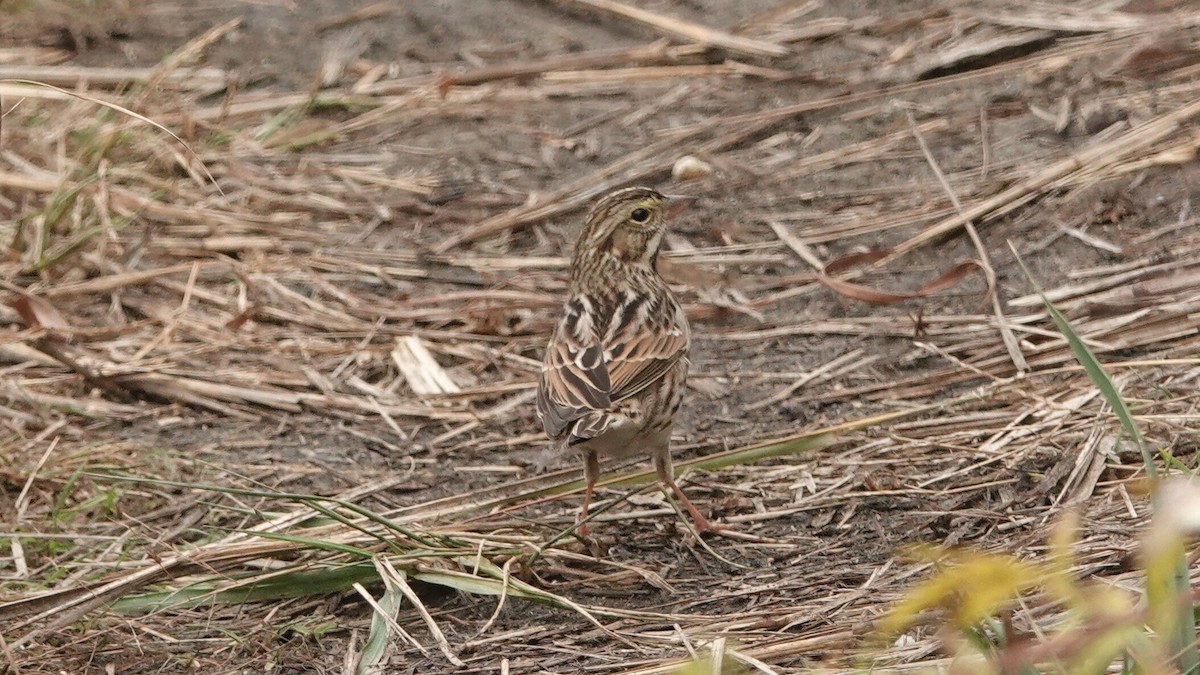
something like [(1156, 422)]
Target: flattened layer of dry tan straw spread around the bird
[(274, 379)]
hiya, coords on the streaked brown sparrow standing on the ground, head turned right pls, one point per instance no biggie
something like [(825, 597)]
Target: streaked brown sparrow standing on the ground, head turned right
[(617, 363)]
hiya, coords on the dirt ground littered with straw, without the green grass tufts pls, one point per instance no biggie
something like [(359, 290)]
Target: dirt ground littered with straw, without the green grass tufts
[(346, 224)]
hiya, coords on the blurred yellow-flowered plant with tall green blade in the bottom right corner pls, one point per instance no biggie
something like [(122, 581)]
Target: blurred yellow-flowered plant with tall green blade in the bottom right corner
[(1099, 624)]
